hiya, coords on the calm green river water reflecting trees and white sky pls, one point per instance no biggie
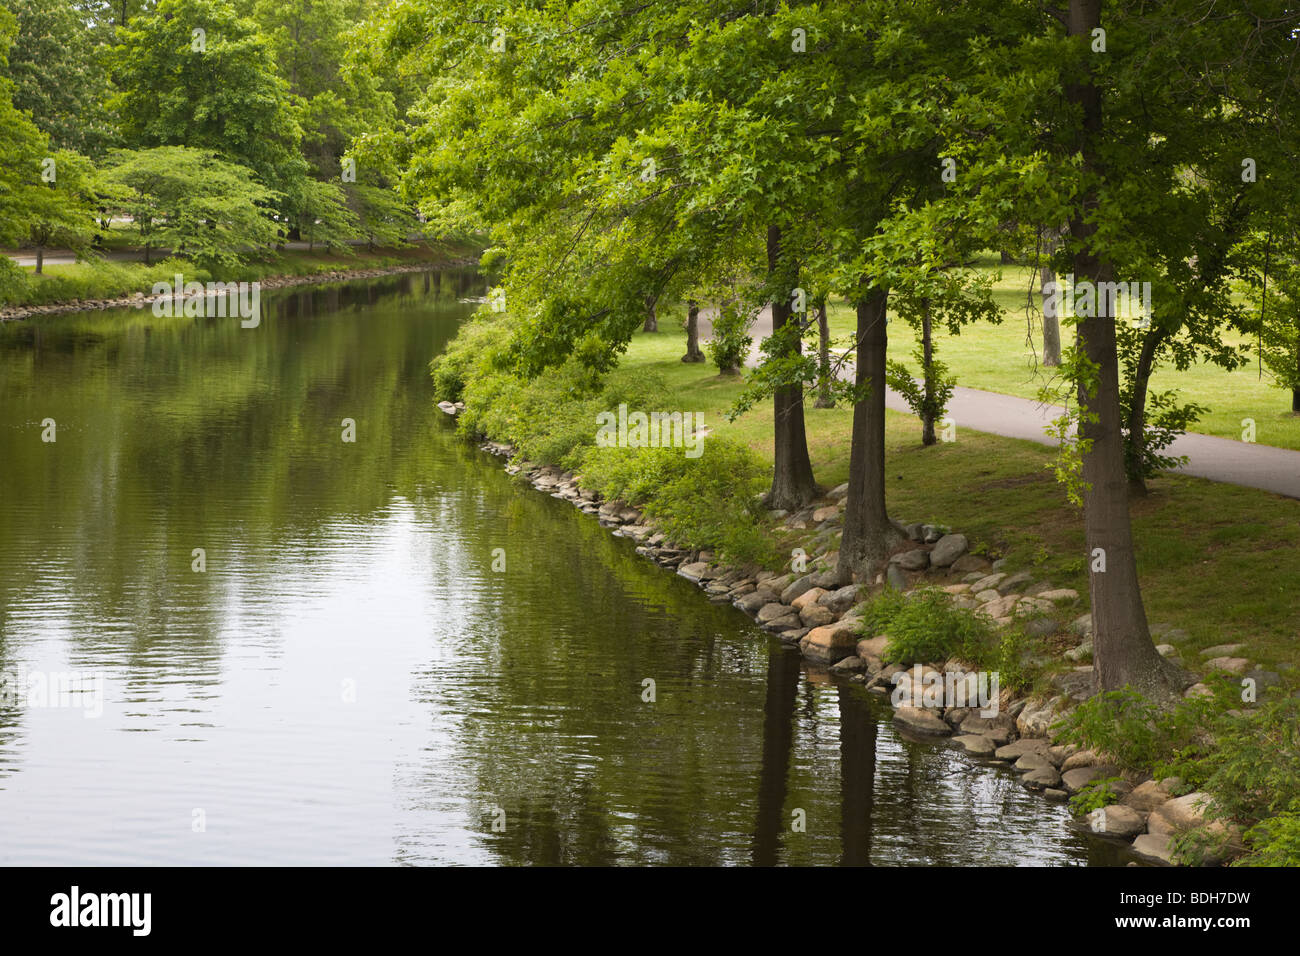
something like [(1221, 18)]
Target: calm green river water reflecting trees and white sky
[(350, 681)]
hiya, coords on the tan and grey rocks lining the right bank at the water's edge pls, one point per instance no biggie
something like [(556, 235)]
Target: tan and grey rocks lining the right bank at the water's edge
[(807, 609)]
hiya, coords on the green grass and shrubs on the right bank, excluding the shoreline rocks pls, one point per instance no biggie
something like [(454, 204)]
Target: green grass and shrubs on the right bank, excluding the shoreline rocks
[(1216, 563)]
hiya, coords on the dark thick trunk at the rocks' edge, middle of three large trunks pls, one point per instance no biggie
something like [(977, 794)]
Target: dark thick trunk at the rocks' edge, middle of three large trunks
[(869, 535)]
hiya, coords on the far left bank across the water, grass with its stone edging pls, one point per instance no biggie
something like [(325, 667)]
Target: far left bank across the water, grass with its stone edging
[(131, 285)]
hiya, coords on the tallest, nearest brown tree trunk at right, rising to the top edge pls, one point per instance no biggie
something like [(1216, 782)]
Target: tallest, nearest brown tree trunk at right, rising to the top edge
[(1124, 654)]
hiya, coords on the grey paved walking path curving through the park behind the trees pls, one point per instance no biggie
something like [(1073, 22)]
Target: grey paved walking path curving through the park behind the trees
[(1219, 460)]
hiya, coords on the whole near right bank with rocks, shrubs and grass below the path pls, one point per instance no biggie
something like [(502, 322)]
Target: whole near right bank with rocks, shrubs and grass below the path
[(986, 582)]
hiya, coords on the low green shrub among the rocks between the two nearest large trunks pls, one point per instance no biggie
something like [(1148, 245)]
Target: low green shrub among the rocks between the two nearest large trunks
[(924, 626)]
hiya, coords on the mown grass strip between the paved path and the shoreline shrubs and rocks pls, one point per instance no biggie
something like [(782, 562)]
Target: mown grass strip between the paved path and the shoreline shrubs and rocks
[(1216, 561)]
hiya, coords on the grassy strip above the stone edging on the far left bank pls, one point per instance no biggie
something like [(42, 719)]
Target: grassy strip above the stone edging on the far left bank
[(102, 279)]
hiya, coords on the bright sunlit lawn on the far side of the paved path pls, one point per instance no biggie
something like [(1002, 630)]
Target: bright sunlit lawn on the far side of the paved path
[(1007, 358)]
